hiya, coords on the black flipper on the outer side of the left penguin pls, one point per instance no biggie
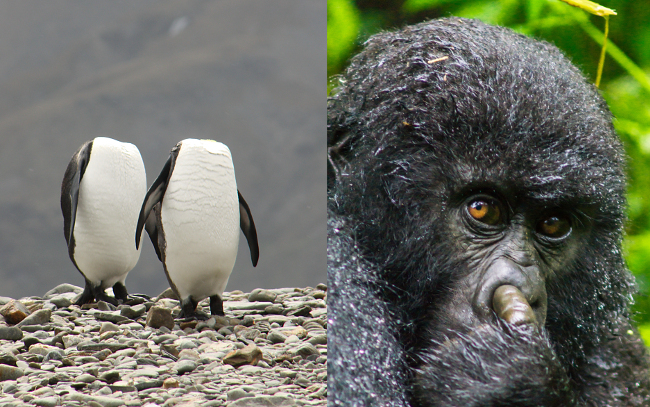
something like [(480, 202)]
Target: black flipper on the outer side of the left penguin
[(70, 191)]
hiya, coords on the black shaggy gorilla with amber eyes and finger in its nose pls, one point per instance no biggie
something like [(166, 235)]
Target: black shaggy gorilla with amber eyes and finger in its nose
[(476, 205)]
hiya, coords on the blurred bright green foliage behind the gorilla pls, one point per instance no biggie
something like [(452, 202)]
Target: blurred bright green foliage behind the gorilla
[(625, 83)]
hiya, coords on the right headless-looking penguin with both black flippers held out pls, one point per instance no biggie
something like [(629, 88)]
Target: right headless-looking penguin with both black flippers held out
[(193, 212)]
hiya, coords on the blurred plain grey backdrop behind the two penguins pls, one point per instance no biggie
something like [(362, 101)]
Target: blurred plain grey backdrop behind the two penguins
[(249, 73)]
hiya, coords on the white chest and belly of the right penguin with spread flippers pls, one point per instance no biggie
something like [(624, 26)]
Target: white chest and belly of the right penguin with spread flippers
[(200, 220)]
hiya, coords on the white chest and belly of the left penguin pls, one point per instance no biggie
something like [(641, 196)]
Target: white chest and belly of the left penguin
[(110, 195)]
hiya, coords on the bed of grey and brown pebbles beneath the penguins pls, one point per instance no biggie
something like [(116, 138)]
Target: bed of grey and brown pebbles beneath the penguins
[(269, 350)]
